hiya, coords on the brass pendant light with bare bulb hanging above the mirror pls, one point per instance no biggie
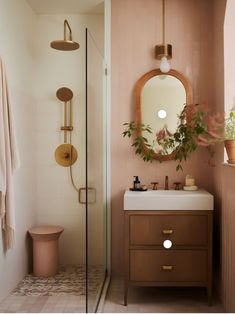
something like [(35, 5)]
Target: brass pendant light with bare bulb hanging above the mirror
[(164, 51)]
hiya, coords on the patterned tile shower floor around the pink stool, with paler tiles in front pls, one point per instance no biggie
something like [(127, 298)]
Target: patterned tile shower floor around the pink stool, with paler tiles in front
[(64, 293)]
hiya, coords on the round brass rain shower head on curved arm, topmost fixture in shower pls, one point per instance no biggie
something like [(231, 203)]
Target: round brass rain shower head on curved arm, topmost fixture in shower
[(65, 44)]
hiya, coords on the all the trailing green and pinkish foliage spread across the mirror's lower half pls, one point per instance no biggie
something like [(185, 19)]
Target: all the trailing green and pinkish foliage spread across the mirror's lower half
[(196, 127)]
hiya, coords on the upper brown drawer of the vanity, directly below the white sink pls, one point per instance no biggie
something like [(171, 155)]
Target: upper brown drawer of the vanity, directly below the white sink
[(180, 229)]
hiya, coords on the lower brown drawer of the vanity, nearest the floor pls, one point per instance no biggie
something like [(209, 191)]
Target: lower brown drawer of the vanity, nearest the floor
[(168, 266)]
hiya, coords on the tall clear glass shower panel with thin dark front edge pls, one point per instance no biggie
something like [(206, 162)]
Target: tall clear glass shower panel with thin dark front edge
[(95, 171)]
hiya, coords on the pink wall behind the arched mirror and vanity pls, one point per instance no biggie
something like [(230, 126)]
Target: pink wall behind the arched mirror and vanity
[(136, 29)]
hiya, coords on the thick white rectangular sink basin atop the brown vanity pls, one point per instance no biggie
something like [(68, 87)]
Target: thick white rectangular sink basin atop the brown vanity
[(168, 200)]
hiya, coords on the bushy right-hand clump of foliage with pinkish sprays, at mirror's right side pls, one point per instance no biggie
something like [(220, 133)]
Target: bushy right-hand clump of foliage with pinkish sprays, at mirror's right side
[(197, 127)]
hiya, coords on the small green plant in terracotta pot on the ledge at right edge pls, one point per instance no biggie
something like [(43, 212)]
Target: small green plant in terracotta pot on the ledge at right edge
[(229, 137)]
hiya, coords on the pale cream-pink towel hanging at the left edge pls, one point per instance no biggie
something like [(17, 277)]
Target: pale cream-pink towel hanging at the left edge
[(9, 161)]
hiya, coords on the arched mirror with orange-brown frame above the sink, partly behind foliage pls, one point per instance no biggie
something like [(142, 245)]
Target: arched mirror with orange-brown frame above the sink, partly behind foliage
[(160, 98)]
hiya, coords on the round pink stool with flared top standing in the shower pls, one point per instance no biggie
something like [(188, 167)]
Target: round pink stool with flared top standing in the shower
[(45, 250)]
